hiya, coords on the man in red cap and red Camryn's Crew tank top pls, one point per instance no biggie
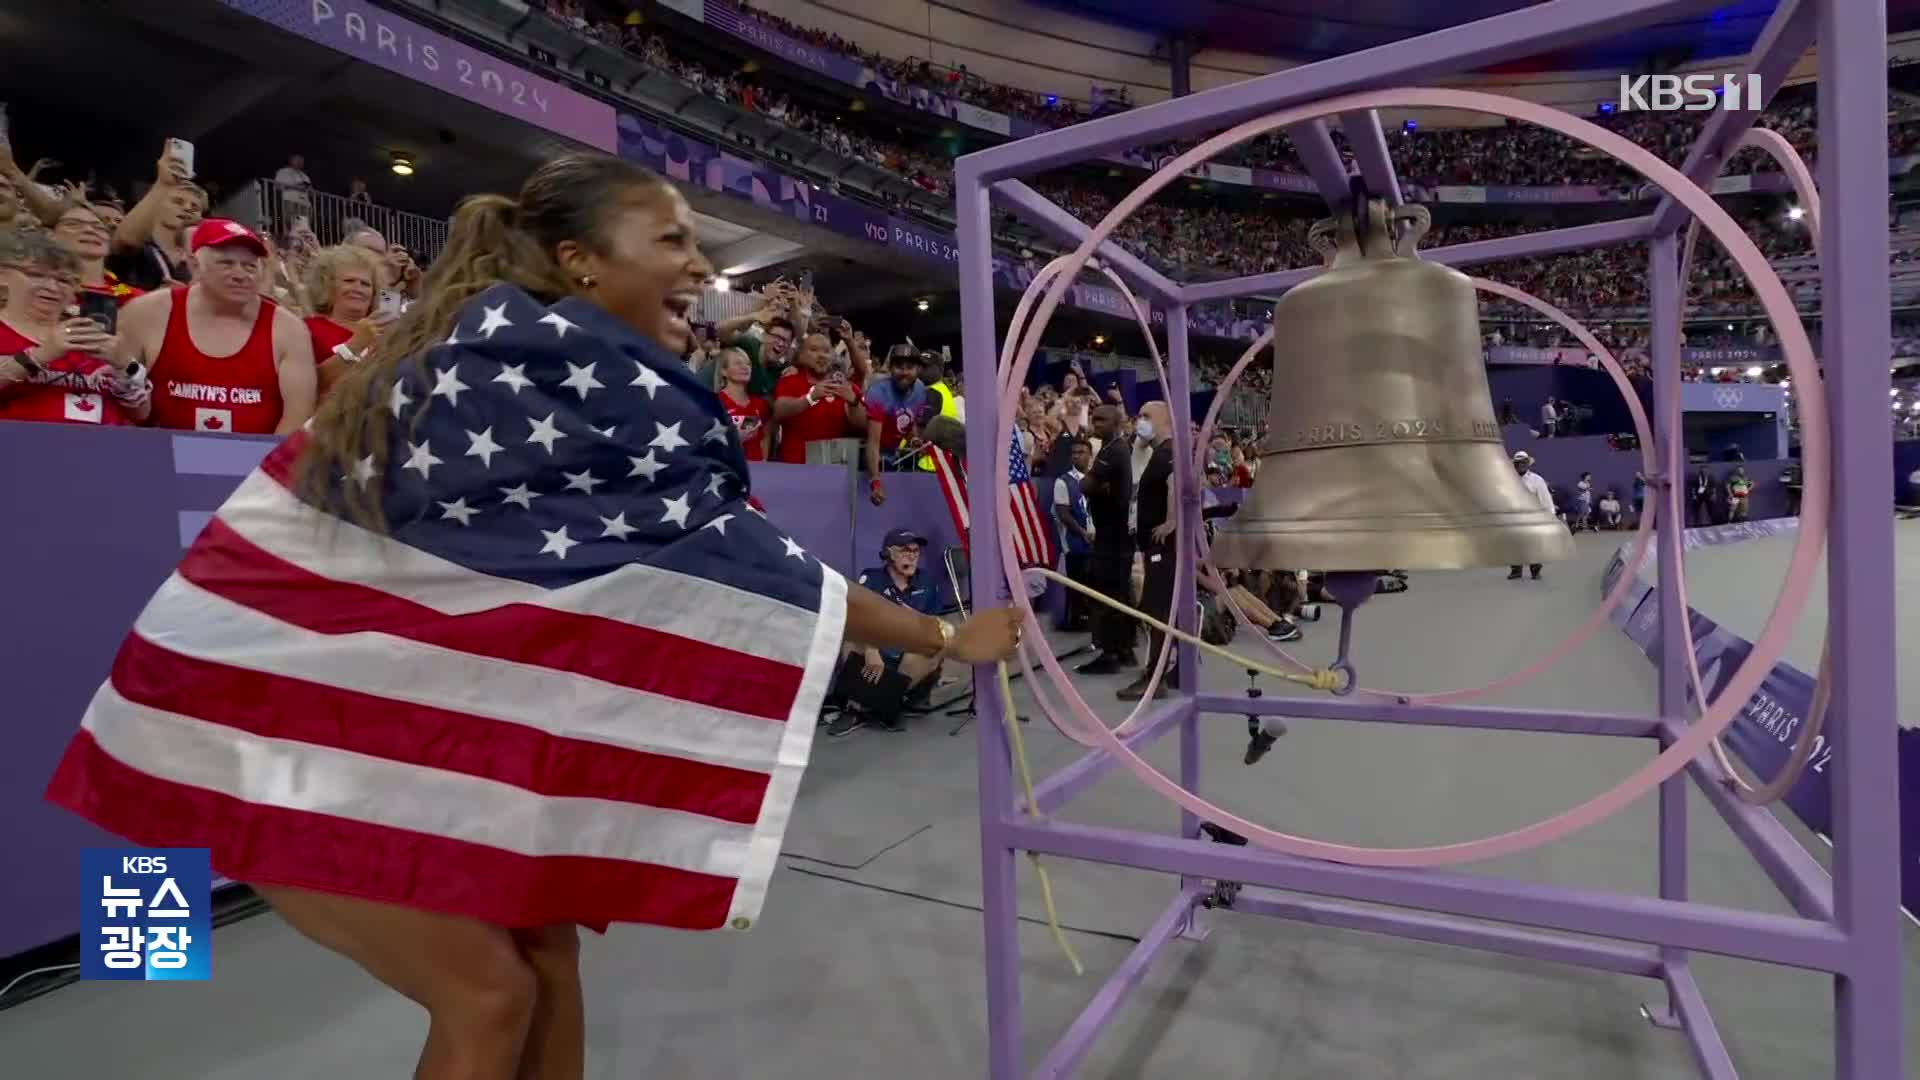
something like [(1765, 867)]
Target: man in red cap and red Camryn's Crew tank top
[(222, 356)]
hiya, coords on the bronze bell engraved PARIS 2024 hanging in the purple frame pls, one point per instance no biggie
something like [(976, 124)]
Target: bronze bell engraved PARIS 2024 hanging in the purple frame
[(1381, 445)]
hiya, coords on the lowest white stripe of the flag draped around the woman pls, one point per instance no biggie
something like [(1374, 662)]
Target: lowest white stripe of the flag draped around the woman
[(356, 787)]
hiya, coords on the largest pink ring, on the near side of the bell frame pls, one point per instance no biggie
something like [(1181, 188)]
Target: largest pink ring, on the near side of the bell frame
[(1787, 608)]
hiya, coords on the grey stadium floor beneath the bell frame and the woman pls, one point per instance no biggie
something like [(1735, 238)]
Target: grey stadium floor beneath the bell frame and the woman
[(869, 960)]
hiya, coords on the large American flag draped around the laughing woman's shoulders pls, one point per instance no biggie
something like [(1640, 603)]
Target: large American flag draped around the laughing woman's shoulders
[(577, 681)]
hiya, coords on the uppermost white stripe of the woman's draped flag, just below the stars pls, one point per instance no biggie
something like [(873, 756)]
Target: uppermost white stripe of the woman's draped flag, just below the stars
[(686, 606)]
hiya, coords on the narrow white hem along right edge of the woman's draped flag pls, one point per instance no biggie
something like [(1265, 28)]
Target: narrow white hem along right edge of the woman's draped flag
[(796, 745)]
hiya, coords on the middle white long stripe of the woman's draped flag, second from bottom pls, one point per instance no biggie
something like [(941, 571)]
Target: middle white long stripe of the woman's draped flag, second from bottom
[(199, 624)]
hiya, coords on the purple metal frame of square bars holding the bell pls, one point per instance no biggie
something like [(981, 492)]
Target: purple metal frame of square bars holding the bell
[(1848, 925)]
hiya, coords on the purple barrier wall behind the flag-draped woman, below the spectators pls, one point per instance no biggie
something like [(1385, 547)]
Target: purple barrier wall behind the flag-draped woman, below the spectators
[(101, 526)]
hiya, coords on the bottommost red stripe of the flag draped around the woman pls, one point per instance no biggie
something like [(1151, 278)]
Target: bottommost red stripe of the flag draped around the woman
[(264, 845)]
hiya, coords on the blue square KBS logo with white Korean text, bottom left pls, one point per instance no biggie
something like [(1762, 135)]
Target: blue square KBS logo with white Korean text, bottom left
[(147, 914)]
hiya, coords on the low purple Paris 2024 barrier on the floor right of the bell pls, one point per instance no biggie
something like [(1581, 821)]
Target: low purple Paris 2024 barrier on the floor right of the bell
[(1769, 724)]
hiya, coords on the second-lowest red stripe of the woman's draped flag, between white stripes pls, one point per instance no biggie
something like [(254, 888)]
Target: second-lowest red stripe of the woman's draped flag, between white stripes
[(435, 739)]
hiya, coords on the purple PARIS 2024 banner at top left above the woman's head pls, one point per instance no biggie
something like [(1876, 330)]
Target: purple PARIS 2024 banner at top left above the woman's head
[(441, 62)]
